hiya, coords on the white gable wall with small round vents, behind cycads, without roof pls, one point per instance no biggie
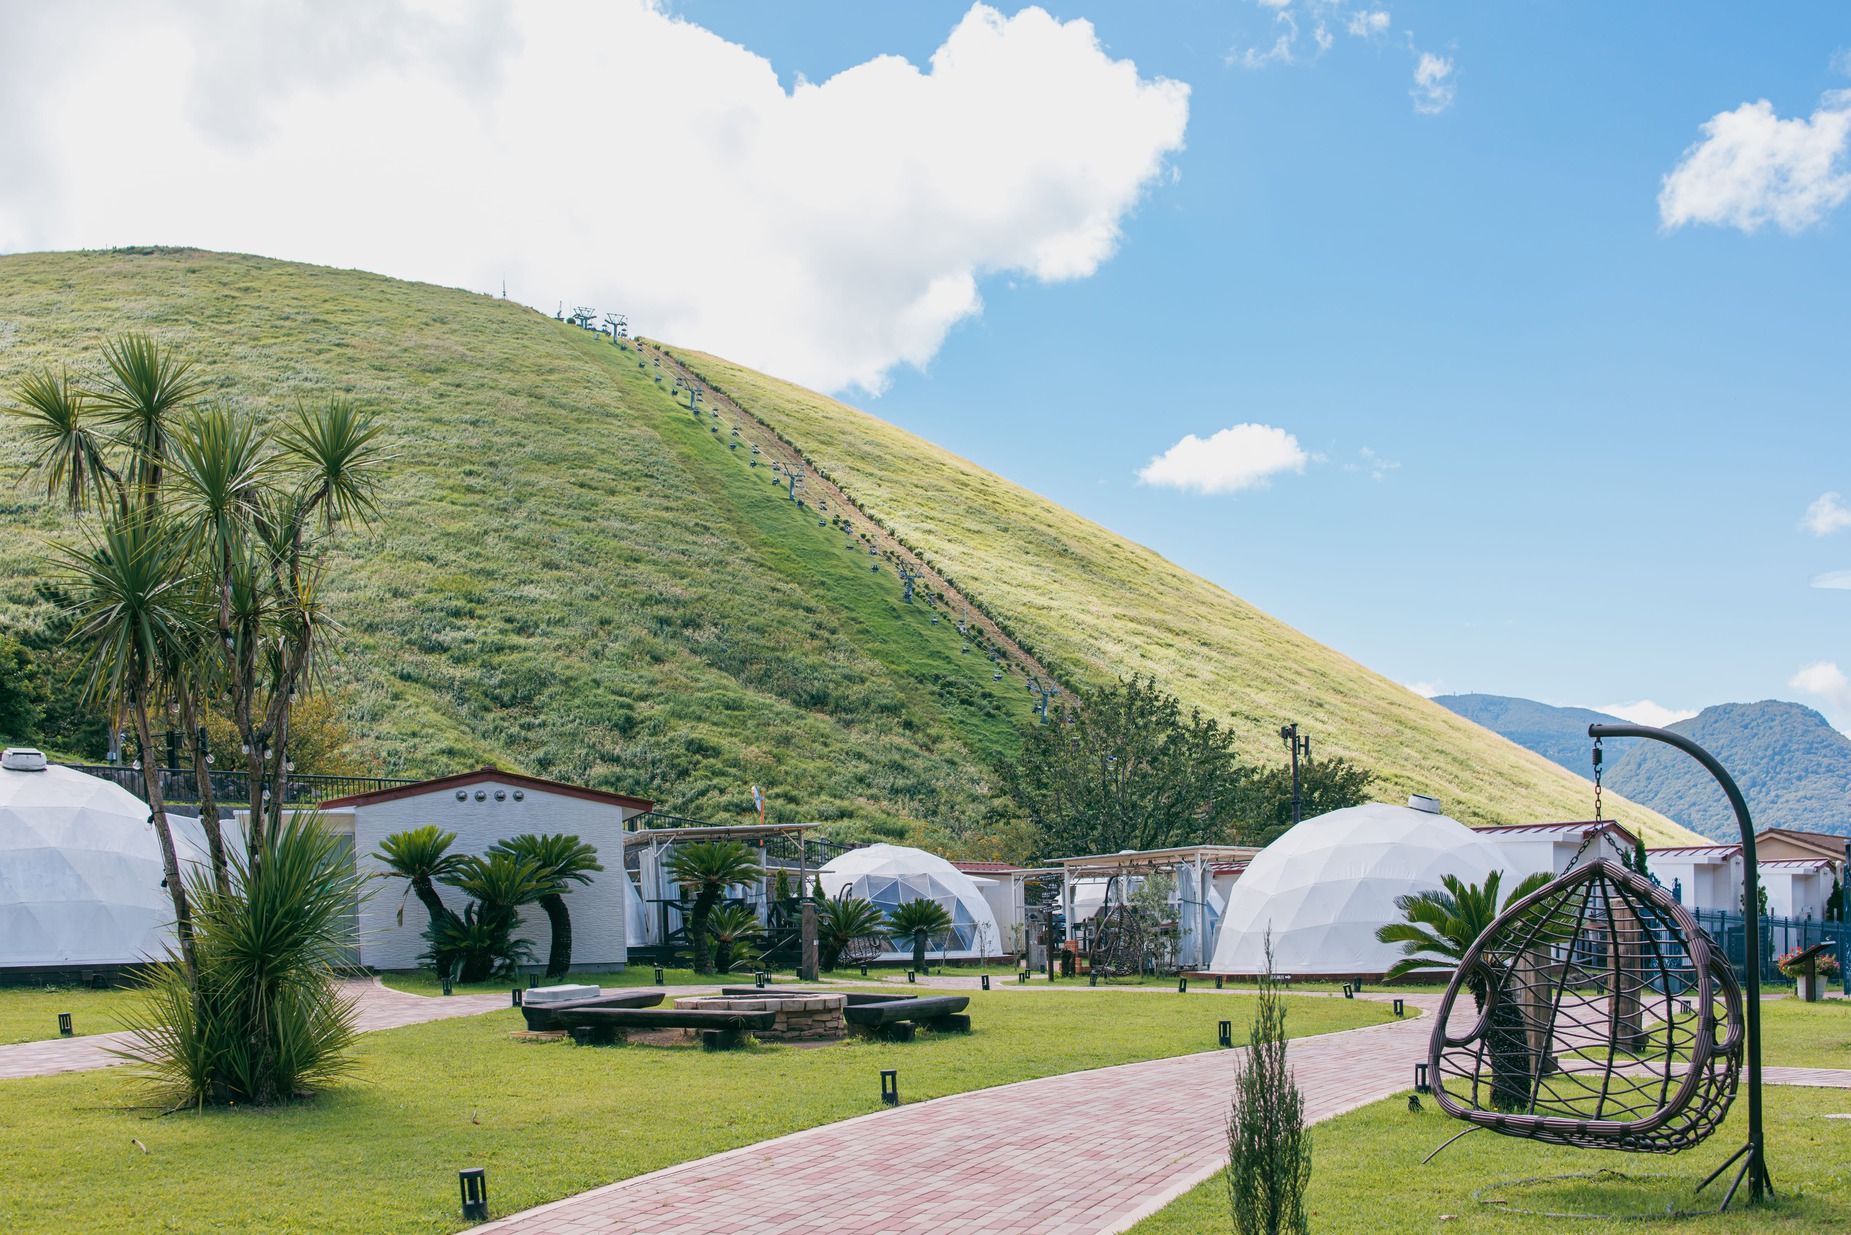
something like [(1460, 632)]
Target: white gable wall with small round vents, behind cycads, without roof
[(599, 912)]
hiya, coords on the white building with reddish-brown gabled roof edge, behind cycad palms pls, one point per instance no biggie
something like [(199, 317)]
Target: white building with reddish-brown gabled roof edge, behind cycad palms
[(484, 808)]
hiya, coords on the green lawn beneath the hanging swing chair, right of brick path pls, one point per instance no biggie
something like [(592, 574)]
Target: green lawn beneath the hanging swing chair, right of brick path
[(1367, 1177)]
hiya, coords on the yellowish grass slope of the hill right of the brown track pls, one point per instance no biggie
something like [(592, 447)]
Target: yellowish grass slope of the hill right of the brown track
[(1091, 605)]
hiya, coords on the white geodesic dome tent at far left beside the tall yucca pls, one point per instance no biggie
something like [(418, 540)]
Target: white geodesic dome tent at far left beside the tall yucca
[(81, 873)]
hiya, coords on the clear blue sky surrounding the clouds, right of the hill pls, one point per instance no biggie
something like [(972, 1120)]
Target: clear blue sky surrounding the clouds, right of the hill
[(1591, 440)]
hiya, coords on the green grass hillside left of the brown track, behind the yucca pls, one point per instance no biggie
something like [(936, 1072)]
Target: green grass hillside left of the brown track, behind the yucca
[(569, 577)]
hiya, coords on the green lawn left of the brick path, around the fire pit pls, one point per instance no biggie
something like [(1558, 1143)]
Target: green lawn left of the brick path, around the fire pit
[(380, 1153)]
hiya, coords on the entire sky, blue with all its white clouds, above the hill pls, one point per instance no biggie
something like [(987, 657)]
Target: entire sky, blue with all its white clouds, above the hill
[(1511, 425)]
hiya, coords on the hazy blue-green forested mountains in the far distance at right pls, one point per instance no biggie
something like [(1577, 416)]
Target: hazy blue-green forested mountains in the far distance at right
[(1793, 766)]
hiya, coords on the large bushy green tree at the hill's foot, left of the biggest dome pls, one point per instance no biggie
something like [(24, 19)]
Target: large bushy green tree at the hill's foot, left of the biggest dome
[(1128, 771)]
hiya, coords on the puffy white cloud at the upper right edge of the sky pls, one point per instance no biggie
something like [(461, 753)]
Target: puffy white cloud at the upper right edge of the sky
[(1754, 168)]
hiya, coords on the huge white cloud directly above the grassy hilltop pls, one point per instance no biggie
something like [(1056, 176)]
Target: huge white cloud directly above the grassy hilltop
[(597, 155)]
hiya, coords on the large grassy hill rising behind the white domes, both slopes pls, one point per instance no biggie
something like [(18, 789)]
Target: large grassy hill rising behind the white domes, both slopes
[(580, 579)]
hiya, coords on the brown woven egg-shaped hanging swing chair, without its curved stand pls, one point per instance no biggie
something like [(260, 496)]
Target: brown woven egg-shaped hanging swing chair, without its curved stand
[(1604, 1019)]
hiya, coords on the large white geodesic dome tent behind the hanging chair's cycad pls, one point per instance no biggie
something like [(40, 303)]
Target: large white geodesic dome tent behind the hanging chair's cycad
[(1328, 884)]
